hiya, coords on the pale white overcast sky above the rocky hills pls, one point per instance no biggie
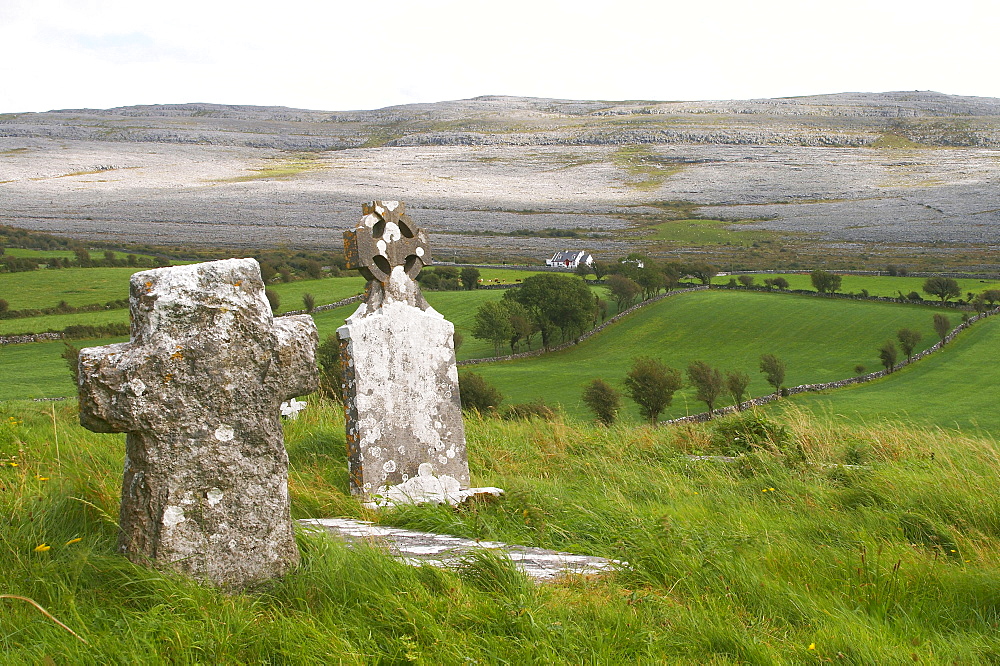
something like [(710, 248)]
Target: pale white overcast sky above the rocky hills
[(336, 55)]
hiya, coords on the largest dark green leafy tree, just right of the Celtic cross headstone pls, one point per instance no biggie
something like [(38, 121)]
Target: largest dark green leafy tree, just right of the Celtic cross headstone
[(555, 303)]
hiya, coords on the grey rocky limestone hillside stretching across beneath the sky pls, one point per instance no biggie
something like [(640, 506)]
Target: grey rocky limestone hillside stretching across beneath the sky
[(851, 170)]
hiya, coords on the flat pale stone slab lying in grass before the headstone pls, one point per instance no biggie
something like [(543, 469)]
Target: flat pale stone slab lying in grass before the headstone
[(441, 550)]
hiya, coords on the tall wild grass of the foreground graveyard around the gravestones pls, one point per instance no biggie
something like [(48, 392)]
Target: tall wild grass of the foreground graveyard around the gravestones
[(772, 559)]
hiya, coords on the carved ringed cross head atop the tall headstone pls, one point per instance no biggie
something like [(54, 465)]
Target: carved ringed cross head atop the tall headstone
[(386, 238)]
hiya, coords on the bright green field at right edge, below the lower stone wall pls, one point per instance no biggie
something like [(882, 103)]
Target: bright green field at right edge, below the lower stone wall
[(957, 388)]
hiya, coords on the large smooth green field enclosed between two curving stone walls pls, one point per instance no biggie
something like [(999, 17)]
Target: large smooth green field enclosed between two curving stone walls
[(819, 339)]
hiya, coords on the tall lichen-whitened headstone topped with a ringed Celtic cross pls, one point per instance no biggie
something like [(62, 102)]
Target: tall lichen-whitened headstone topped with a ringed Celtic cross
[(405, 436)]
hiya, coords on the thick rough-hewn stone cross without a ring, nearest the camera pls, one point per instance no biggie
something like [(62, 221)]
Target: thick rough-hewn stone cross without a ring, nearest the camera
[(198, 390)]
